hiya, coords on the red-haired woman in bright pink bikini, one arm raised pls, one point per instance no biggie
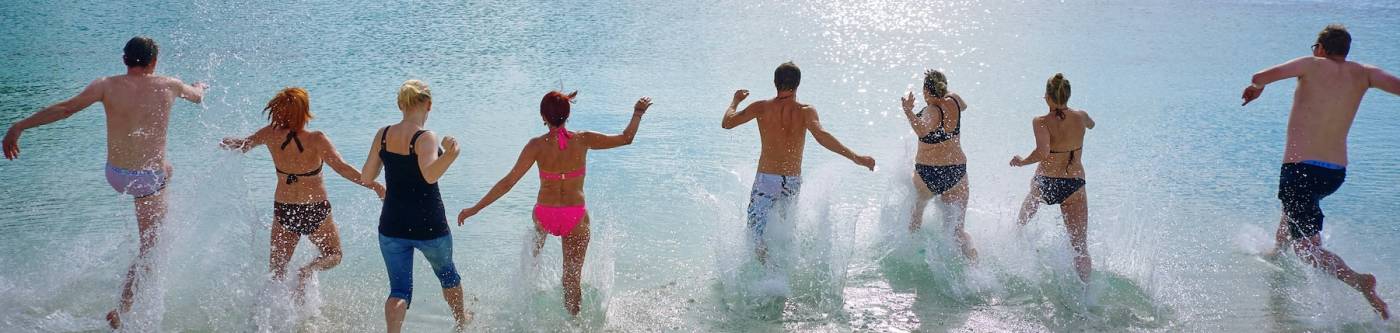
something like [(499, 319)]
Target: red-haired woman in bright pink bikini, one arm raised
[(559, 209)]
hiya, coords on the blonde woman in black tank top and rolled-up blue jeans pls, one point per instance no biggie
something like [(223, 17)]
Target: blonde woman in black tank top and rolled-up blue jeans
[(414, 216)]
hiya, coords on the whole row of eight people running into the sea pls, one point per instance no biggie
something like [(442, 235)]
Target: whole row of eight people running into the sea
[(414, 160)]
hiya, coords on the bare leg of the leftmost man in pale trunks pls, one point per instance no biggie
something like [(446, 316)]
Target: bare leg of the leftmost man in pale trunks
[(150, 213)]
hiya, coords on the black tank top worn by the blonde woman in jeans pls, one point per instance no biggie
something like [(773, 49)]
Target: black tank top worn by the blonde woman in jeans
[(412, 206)]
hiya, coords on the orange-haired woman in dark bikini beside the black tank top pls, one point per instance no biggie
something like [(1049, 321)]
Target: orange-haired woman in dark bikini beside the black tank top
[(300, 206)]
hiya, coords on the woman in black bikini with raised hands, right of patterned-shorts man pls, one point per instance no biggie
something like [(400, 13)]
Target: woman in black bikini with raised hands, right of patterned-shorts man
[(940, 166)]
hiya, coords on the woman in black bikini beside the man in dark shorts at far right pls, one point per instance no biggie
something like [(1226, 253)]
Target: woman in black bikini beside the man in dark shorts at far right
[(1060, 177)]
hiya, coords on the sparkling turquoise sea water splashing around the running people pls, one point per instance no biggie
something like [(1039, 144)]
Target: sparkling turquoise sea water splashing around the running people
[(1181, 178)]
